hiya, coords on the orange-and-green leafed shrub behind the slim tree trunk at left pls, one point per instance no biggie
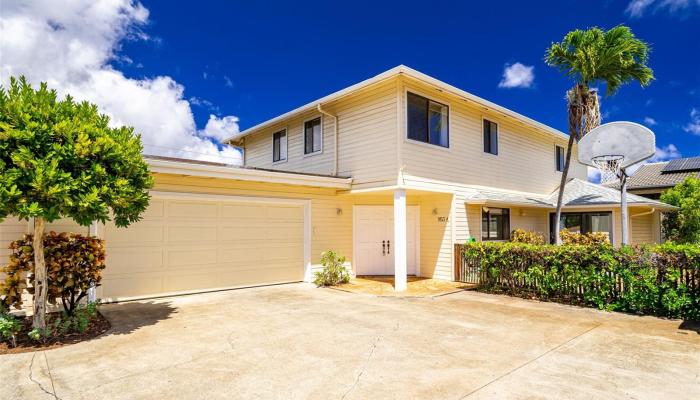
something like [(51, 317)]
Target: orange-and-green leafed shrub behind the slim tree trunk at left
[(74, 263)]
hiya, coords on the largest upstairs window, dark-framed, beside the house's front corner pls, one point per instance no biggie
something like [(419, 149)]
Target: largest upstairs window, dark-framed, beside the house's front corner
[(427, 121)]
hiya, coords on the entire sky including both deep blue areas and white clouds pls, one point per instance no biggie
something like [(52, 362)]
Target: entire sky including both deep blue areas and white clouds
[(166, 69)]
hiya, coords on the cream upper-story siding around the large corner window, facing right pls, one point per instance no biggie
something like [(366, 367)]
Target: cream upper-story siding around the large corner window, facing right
[(525, 161)]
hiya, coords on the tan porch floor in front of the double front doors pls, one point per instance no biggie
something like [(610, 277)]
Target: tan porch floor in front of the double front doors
[(415, 286)]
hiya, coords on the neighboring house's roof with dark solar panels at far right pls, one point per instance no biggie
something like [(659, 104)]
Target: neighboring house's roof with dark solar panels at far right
[(652, 176)]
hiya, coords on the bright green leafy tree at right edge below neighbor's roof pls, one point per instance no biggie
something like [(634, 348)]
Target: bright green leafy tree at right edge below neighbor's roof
[(683, 225)]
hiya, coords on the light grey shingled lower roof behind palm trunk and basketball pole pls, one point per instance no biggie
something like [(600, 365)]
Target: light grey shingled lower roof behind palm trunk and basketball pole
[(583, 193)]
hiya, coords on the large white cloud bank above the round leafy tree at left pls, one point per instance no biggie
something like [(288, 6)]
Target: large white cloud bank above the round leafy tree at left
[(70, 47)]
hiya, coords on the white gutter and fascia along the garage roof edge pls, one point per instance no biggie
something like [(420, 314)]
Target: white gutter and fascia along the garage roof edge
[(214, 171)]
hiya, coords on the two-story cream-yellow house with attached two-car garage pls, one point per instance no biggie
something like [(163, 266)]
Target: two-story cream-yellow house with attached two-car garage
[(390, 172)]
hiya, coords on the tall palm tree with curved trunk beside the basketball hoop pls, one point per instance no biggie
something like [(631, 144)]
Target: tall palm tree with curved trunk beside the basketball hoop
[(614, 58)]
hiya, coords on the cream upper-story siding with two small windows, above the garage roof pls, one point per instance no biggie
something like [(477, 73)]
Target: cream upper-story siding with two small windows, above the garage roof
[(366, 134)]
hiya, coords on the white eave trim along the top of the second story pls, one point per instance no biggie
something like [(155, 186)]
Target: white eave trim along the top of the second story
[(406, 71)]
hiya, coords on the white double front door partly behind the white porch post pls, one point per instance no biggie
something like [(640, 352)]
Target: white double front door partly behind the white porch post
[(374, 240)]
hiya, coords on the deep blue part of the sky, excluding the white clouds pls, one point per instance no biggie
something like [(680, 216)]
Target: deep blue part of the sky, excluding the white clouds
[(258, 59)]
